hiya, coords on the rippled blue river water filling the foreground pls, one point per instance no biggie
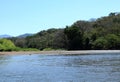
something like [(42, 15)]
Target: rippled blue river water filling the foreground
[(64, 68)]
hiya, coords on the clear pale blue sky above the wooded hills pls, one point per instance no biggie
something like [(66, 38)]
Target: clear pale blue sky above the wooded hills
[(31, 16)]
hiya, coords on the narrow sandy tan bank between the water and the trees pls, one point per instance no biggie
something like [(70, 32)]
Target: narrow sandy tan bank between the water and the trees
[(77, 52)]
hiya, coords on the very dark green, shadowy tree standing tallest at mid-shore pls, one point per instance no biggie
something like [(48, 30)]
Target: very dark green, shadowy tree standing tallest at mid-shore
[(75, 38)]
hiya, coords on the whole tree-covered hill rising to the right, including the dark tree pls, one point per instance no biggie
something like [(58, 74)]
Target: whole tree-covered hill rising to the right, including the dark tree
[(102, 33)]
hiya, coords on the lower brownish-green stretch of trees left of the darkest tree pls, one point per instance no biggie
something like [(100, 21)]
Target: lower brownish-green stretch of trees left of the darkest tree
[(46, 39)]
